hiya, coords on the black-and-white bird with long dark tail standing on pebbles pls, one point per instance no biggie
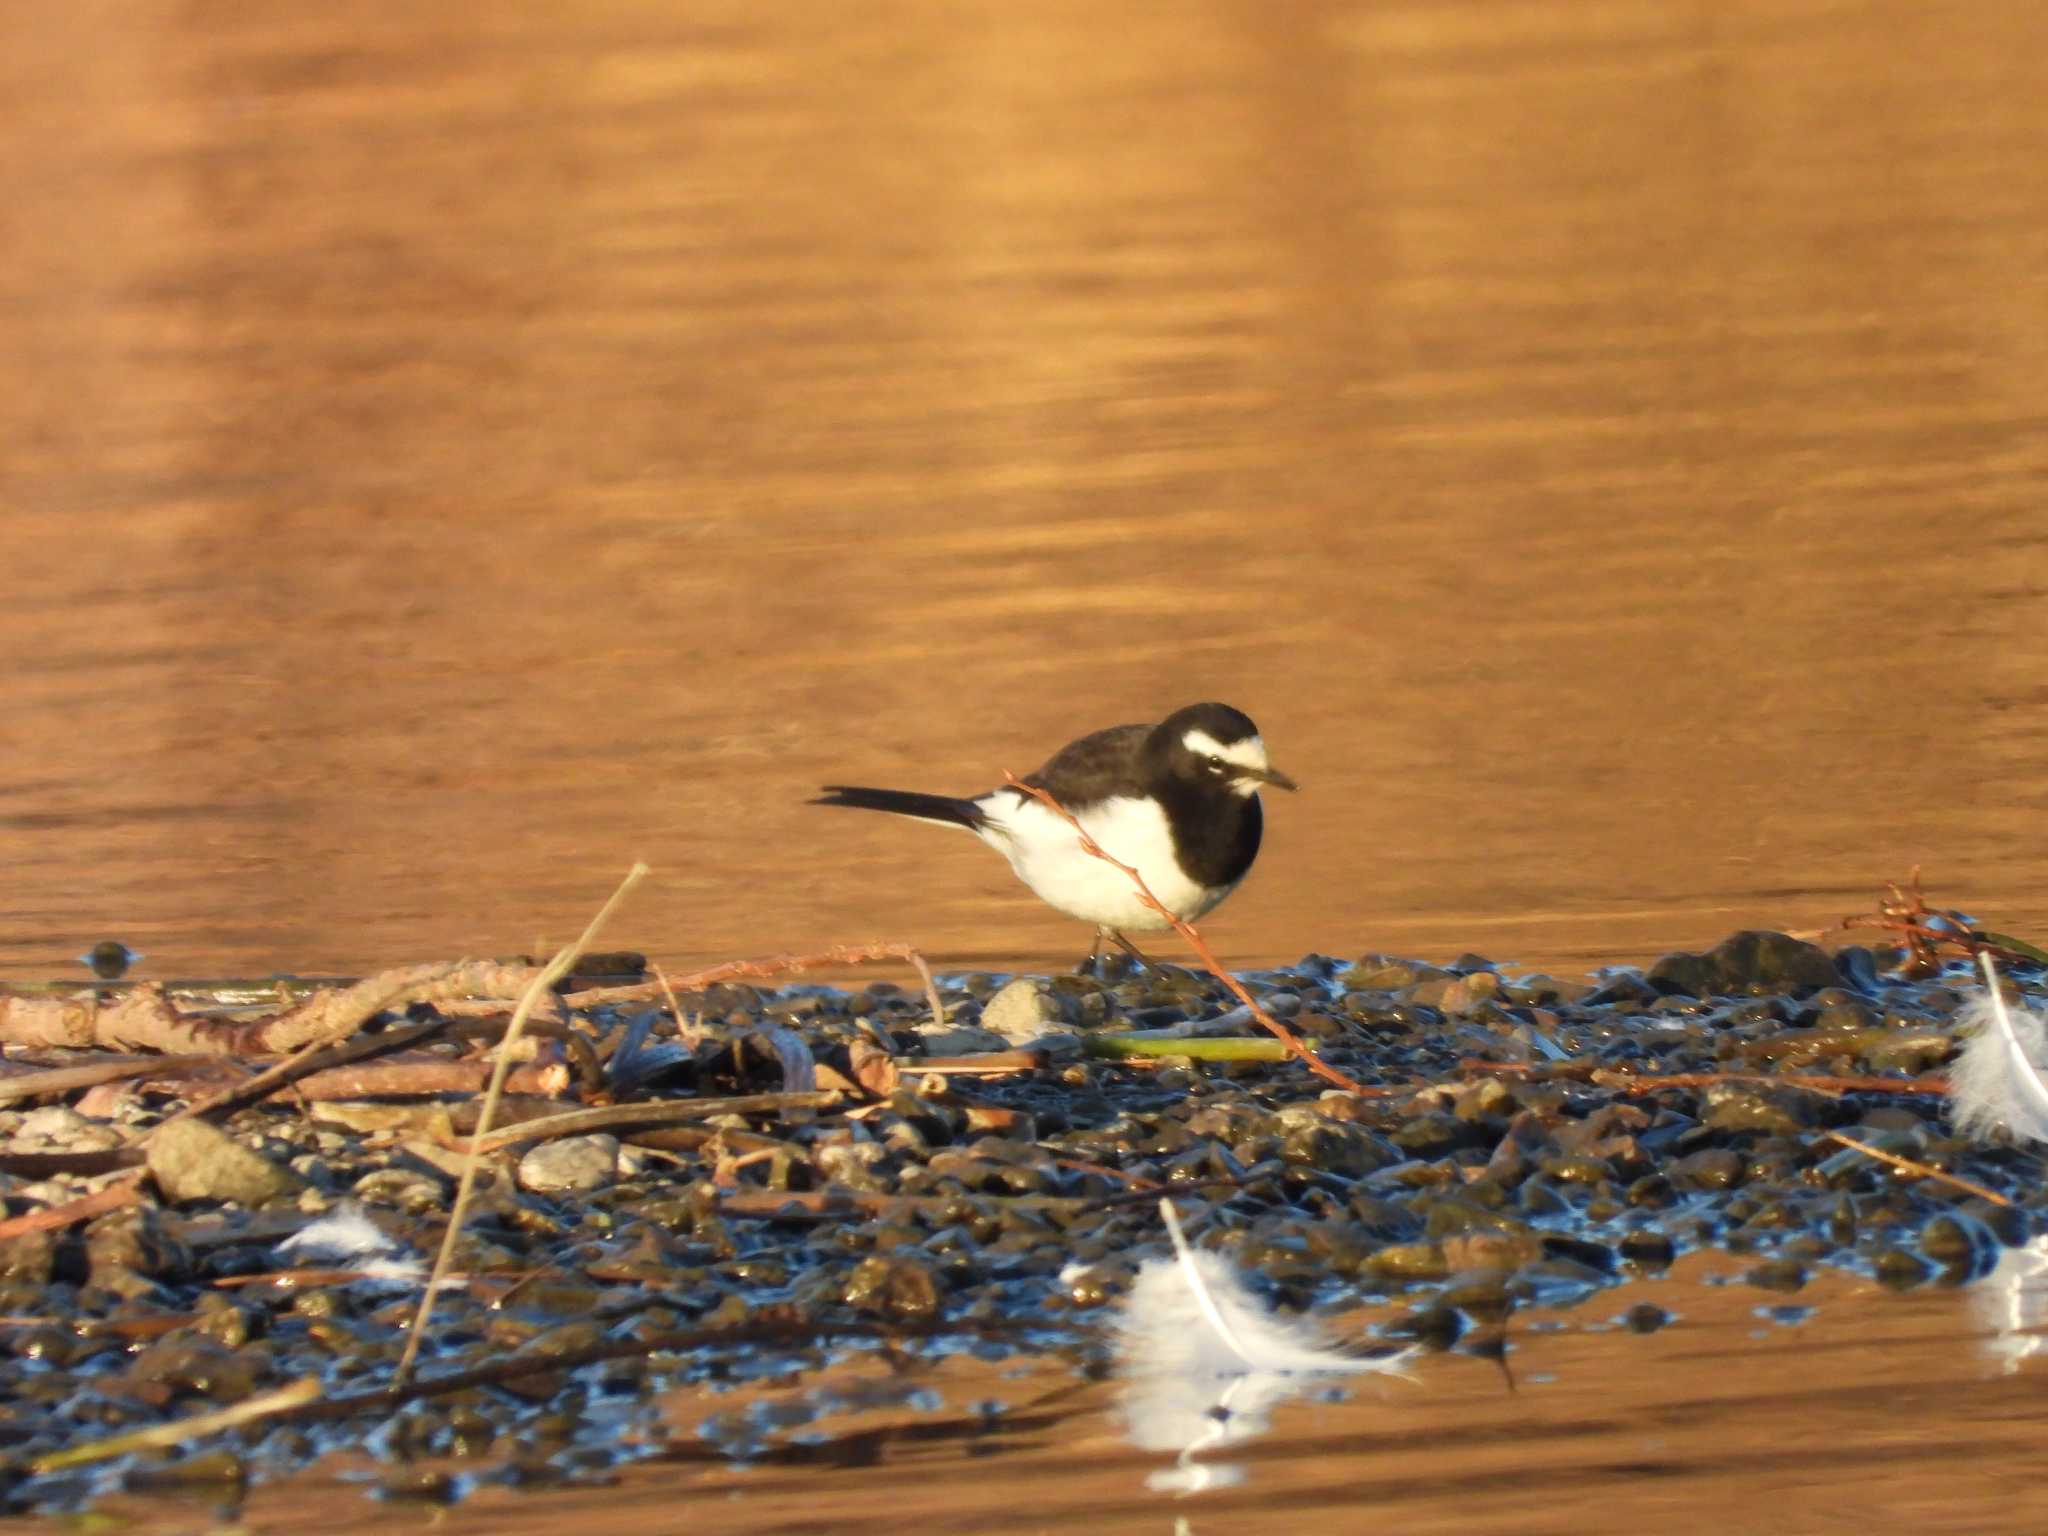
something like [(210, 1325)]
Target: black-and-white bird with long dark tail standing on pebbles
[(1179, 802)]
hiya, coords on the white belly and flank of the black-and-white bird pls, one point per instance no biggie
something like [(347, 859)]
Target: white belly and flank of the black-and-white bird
[(1050, 859)]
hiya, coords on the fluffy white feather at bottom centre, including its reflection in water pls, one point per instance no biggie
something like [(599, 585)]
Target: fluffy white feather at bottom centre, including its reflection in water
[(1205, 1363)]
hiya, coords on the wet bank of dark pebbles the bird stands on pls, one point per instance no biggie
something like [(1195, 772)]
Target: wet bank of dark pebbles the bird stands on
[(1482, 1195)]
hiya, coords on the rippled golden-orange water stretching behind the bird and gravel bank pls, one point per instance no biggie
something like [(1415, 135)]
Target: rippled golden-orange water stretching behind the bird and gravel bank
[(1603, 445)]
